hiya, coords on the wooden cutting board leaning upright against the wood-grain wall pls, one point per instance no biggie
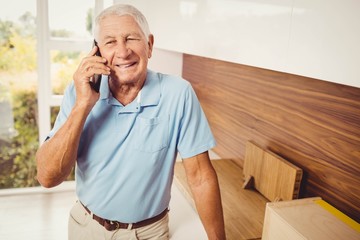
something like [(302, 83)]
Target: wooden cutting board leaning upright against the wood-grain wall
[(274, 177)]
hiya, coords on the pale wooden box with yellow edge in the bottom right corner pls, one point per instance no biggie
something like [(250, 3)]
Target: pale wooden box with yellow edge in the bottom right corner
[(307, 219)]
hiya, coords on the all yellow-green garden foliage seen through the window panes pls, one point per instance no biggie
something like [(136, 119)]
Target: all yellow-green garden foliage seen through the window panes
[(19, 79)]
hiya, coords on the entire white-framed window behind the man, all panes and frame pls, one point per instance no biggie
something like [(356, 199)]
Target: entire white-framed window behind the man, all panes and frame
[(36, 64)]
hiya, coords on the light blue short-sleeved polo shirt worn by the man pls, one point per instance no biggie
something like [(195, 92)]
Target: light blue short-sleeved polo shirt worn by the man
[(127, 153)]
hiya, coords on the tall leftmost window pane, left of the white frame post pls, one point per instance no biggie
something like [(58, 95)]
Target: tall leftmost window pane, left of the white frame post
[(18, 87)]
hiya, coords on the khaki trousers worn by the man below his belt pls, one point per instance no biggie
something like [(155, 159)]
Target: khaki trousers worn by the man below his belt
[(83, 227)]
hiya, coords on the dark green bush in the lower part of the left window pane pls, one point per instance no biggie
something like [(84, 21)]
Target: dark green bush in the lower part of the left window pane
[(18, 168)]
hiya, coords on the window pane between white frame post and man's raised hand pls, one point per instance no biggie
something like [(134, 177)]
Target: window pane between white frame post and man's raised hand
[(75, 27)]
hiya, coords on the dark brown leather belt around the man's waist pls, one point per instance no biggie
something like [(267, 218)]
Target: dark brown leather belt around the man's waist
[(113, 225)]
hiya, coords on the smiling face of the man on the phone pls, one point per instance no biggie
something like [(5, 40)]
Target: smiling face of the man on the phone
[(126, 49)]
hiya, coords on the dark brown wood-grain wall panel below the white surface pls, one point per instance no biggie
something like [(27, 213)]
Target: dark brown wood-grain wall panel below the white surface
[(313, 124)]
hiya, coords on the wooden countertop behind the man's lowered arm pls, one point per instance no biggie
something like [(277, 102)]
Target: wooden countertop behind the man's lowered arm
[(244, 210)]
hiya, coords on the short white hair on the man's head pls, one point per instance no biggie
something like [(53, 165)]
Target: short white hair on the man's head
[(121, 10)]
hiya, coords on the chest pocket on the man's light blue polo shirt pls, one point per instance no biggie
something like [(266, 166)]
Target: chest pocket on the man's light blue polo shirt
[(152, 134)]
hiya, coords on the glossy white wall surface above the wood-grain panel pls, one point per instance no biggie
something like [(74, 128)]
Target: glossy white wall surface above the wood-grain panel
[(314, 38)]
